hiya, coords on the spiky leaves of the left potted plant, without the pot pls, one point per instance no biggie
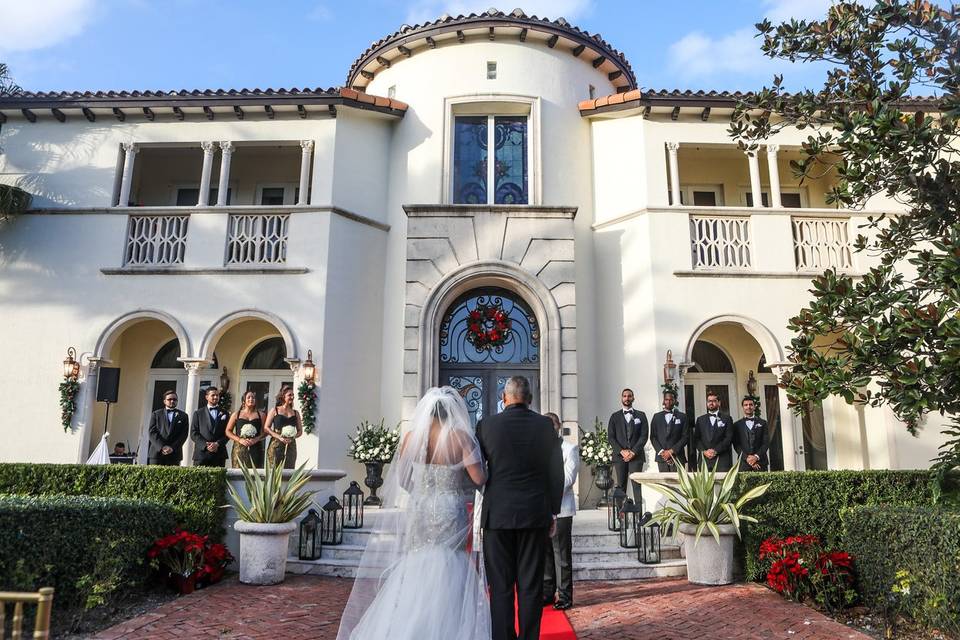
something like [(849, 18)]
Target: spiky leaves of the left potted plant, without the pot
[(268, 498)]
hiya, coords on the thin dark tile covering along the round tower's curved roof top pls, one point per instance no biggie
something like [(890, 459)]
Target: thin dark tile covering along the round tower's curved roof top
[(491, 18)]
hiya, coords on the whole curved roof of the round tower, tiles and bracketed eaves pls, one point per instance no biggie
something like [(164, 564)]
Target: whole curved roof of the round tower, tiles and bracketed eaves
[(491, 25)]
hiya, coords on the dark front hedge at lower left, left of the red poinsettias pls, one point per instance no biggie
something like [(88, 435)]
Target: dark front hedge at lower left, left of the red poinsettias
[(90, 550)]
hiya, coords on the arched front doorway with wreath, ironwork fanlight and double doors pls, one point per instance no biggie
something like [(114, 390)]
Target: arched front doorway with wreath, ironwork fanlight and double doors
[(486, 336)]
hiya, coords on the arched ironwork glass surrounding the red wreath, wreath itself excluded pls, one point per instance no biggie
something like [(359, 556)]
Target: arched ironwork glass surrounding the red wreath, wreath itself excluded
[(520, 345)]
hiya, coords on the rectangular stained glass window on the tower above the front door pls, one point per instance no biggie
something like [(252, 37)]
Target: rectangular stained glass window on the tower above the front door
[(472, 175)]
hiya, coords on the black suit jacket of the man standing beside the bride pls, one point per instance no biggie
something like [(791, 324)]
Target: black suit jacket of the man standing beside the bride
[(525, 469)]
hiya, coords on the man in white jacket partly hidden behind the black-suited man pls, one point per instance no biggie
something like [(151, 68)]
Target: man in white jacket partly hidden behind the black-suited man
[(558, 571)]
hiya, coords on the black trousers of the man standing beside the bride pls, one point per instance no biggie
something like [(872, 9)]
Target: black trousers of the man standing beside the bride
[(514, 559)]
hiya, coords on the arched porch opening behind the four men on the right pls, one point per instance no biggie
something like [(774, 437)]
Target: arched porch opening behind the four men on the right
[(729, 361)]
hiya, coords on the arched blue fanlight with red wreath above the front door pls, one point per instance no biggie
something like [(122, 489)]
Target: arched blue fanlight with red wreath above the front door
[(489, 326)]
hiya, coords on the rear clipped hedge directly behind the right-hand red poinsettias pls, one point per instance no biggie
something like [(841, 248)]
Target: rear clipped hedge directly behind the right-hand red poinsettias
[(810, 502)]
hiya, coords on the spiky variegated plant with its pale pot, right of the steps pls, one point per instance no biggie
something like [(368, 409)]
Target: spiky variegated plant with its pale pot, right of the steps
[(695, 506)]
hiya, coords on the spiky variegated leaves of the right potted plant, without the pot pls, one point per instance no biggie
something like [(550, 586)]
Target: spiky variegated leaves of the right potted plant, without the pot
[(697, 502)]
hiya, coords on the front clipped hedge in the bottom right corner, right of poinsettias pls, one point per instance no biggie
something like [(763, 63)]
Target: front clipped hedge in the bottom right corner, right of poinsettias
[(923, 542)]
